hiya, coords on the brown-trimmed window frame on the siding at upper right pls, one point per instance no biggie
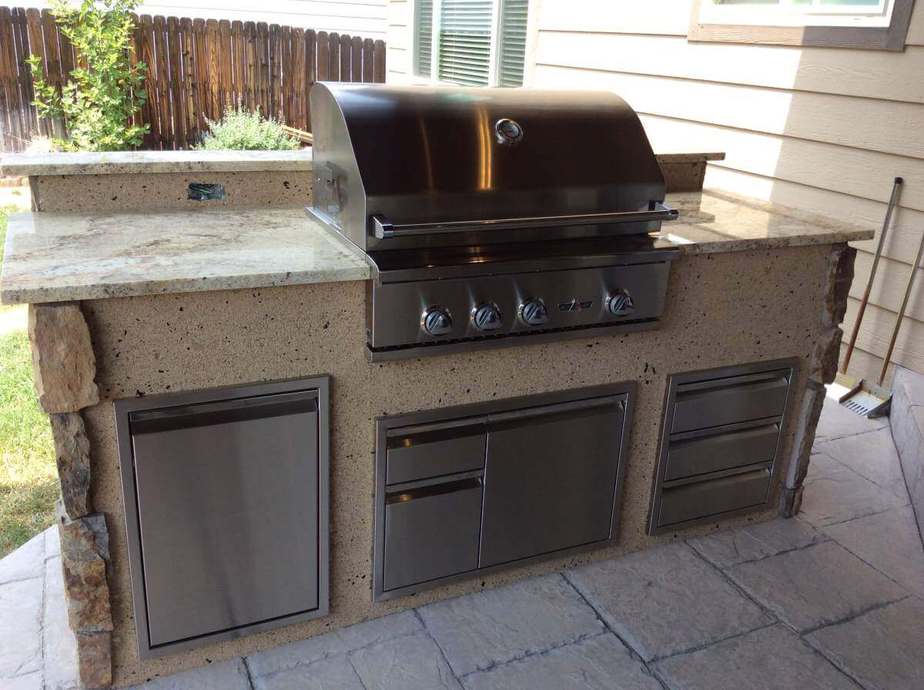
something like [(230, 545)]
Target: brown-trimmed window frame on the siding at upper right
[(847, 27)]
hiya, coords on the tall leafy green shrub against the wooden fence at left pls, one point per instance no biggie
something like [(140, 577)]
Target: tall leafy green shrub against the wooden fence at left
[(105, 90)]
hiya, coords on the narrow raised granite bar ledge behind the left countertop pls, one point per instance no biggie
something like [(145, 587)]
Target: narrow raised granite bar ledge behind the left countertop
[(132, 162)]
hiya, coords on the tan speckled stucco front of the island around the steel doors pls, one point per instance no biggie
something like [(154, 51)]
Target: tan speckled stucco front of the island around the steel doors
[(723, 309)]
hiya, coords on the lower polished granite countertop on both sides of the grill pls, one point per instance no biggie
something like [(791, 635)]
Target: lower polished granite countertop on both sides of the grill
[(54, 257)]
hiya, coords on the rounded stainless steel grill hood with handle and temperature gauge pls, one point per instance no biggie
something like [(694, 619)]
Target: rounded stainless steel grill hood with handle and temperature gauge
[(402, 167)]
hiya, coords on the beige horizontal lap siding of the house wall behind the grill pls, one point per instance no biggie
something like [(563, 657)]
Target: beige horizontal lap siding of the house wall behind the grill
[(821, 129)]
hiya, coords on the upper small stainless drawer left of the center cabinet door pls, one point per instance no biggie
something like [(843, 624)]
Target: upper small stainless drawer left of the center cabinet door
[(423, 452)]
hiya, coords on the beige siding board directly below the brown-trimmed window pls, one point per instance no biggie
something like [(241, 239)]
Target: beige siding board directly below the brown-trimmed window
[(865, 73)]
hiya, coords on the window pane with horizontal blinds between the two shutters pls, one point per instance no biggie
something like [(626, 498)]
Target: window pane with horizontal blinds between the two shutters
[(465, 41)]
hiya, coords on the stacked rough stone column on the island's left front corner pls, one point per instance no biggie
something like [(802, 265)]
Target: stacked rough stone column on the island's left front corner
[(65, 368)]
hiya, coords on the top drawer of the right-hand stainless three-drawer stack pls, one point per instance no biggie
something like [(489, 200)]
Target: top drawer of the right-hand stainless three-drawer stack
[(730, 400)]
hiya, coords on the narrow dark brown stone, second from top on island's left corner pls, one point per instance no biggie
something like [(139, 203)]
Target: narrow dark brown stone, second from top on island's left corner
[(72, 449)]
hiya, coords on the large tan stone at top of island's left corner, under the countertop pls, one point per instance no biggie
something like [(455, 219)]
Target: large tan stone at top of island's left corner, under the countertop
[(62, 357)]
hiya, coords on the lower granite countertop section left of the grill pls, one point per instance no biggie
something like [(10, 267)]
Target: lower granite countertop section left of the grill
[(55, 257)]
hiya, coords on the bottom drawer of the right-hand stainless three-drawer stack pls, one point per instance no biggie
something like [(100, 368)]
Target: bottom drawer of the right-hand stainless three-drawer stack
[(713, 497)]
